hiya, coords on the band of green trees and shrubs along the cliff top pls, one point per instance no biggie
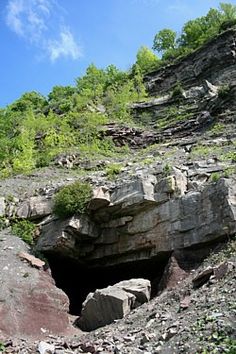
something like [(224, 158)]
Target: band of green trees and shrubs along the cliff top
[(34, 129)]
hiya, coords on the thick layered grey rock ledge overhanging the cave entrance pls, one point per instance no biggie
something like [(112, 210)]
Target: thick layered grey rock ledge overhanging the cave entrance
[(146, 218)]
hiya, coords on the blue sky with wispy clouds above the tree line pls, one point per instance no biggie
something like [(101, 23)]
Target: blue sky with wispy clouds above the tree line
[(51, 42)]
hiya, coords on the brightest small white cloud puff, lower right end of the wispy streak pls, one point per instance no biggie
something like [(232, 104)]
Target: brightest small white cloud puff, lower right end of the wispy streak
[(65, 46)]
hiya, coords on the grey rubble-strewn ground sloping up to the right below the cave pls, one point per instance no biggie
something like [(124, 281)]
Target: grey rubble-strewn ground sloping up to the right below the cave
[(198, 316)]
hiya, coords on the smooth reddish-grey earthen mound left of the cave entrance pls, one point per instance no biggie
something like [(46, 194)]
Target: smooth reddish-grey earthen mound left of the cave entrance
[(30, 303)]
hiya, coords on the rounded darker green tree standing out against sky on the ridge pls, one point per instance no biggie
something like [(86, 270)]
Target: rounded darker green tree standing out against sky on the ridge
[(164, 40)]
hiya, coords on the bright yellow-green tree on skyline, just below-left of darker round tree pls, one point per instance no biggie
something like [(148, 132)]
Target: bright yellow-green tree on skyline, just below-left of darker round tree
[(146, 60)]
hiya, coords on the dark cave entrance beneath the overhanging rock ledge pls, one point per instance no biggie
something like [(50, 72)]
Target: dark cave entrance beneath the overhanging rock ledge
[(77, 280)]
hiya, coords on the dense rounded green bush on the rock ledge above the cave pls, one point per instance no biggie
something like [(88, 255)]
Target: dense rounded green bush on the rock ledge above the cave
[(72, 199)]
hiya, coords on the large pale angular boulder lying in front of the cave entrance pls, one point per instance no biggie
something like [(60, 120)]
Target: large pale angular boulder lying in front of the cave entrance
[(114, 302)]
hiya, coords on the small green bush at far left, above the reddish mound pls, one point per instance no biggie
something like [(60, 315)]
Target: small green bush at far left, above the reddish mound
[(24, 229)]
